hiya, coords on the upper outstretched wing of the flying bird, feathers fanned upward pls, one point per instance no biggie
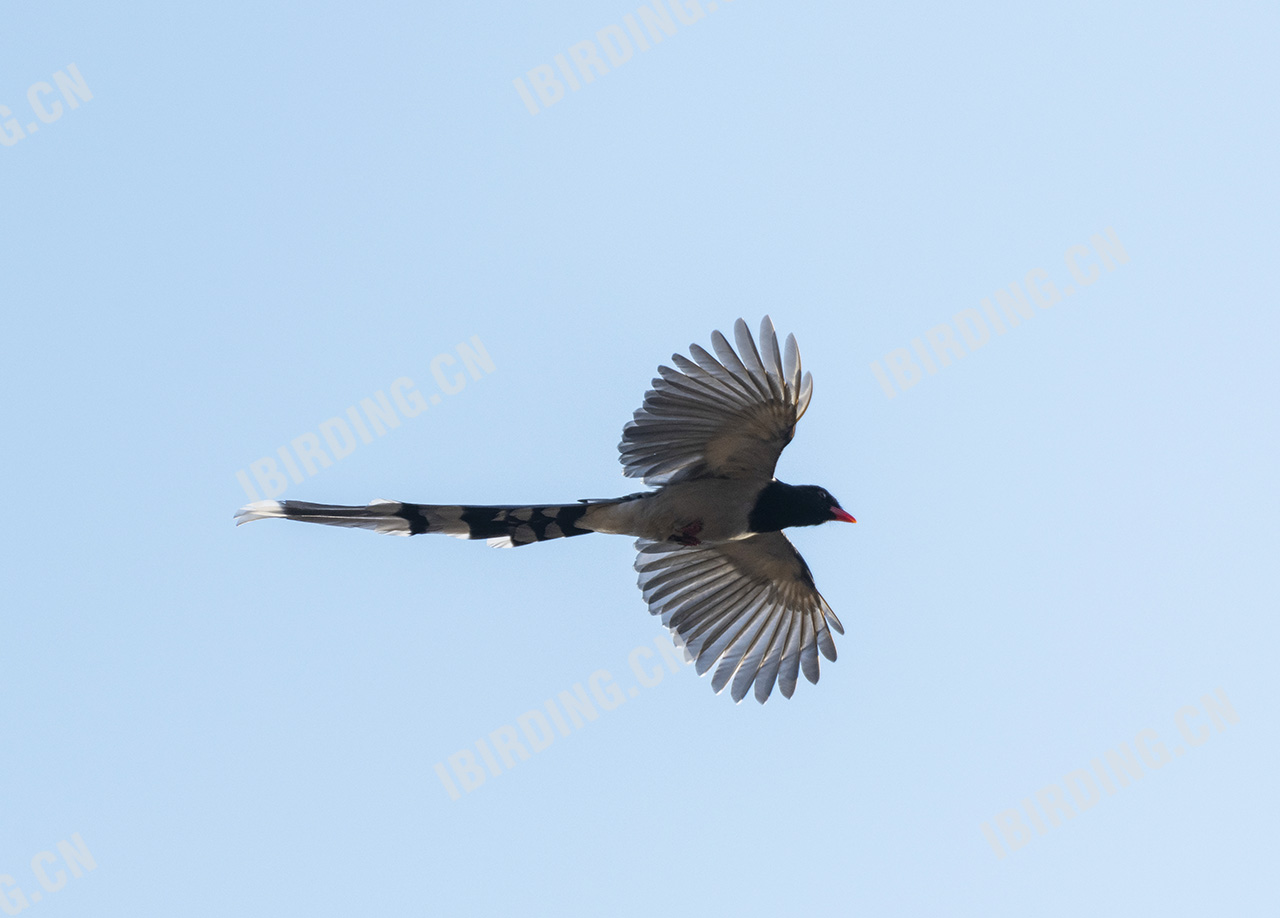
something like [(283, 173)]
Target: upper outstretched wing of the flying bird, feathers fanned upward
[(723, 417)]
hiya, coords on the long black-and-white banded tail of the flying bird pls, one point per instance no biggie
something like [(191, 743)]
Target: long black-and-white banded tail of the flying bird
[(502, 527)]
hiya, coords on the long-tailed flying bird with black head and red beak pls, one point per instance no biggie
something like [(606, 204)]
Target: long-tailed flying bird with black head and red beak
[(712, 559)]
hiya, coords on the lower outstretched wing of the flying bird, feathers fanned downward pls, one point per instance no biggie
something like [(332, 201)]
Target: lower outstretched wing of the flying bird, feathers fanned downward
[(752, 605)]
